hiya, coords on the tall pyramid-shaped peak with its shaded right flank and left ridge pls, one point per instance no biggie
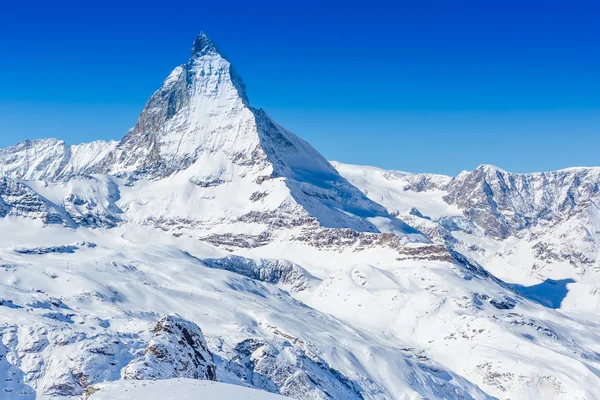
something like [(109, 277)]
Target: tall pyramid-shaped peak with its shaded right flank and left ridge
[(199, 145)]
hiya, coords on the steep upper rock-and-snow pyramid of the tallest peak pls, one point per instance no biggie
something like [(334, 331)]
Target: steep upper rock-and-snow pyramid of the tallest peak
[(201, 107)]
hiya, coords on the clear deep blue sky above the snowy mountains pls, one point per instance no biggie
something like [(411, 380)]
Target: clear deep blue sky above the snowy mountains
[(413, 85)]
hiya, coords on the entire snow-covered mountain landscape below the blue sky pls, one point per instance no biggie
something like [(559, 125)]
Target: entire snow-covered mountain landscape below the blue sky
[(210, 243)]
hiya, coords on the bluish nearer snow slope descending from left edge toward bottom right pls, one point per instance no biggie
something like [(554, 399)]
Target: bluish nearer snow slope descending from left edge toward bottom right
[(71, 319)]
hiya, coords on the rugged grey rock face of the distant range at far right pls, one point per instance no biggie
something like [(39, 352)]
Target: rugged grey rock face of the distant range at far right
[(504, 203)]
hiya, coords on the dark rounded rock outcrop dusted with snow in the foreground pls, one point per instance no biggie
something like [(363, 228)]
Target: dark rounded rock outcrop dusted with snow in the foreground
[(177, 350)]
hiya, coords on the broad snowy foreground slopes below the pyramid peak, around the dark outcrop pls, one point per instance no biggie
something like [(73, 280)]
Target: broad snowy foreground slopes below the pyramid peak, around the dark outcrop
[(384, 323)]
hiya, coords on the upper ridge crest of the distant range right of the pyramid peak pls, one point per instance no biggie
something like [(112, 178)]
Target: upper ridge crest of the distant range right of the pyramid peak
[(502, 203)]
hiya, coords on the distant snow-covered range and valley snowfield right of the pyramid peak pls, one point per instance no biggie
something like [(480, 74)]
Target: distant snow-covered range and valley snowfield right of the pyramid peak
[(525, 228)]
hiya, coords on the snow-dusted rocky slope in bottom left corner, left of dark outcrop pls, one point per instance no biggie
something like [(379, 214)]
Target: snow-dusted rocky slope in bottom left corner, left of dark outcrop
[(54, 359)]
